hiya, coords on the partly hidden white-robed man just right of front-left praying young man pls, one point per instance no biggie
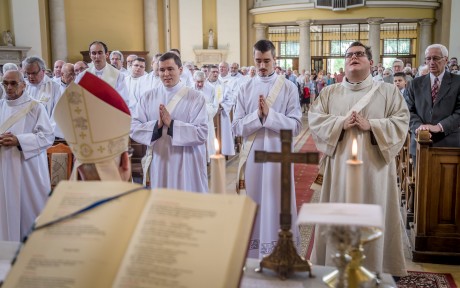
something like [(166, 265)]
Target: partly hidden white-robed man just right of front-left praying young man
[(211, 107)]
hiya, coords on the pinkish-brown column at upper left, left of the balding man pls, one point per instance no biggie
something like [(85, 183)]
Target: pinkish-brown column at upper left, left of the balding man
[(58, 31)]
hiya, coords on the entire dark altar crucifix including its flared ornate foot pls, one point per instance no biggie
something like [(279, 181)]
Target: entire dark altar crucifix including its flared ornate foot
[(284, 258)]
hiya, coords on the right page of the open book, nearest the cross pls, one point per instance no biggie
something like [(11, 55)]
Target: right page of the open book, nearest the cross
[(186, 239)]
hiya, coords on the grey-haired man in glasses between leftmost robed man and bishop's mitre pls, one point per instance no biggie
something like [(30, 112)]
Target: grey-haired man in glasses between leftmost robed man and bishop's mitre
[(39, 86)]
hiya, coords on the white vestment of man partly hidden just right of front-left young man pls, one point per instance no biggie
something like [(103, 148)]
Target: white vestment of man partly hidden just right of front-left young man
[(211, 108)]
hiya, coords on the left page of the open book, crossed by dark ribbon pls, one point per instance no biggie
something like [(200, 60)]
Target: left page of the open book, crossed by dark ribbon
[(84, 251)]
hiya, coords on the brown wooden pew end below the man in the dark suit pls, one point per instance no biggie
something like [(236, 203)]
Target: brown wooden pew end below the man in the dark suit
[(435, 233)]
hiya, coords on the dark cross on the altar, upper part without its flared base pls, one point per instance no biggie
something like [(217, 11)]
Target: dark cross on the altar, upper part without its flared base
[(286, 157)]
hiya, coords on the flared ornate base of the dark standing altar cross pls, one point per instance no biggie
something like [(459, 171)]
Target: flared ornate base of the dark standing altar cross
[(284, 259)]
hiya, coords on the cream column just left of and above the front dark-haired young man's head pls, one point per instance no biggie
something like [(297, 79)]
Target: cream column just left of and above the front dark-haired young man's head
[(151, 34)]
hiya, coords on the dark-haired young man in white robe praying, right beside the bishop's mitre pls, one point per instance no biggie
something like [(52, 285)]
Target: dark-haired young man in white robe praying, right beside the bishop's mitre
[(172, 120)]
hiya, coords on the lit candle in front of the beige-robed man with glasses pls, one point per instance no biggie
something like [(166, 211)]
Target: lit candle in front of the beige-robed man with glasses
[(354, 184)]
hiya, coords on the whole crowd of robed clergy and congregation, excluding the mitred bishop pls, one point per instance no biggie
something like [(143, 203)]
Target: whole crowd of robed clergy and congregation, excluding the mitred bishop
[(173, 107)]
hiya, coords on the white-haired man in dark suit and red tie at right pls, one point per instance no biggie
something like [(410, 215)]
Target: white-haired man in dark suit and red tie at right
[(434, 101)]
